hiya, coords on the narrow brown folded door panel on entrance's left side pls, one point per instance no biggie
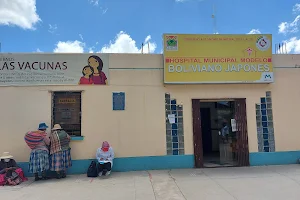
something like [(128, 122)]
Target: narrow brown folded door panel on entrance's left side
[(198, 149)]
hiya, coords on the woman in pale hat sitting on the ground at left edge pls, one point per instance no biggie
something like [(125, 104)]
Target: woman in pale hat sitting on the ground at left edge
[(10, 173)]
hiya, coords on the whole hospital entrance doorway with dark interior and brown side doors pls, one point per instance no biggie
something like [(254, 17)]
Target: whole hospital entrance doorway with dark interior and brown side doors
[(220, 133)]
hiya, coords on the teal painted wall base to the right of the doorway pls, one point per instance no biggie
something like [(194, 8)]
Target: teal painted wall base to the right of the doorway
[(274, 158)]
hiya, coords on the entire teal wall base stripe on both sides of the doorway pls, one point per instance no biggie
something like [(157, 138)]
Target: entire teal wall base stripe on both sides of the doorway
[(176, 162)]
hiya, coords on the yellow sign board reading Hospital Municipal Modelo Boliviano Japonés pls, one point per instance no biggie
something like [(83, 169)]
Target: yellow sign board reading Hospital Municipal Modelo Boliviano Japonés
[(192, 59)]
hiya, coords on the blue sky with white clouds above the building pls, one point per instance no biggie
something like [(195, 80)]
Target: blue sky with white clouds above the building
[(123, 25)]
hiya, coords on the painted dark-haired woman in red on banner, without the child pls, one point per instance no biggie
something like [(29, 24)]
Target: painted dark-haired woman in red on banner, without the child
[(99, 77)]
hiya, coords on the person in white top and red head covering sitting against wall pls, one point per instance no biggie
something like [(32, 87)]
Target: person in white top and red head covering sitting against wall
[(105, 156)]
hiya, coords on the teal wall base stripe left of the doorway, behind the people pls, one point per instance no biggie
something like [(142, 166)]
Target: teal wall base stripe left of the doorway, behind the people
[(132, 164)]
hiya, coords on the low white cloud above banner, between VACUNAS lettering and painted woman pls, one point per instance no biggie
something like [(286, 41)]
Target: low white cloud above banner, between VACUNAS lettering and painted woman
[(69, 47)]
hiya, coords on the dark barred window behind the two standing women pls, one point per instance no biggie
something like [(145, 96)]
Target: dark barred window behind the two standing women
[(66, 111)]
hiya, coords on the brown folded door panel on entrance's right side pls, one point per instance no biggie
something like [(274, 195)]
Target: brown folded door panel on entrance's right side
[(241, 133)]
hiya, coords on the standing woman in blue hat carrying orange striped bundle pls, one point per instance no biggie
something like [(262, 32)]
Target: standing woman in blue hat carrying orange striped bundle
[(39, 156)]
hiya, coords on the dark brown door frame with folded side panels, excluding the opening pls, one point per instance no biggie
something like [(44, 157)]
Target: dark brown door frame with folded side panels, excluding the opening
[(242, 144)]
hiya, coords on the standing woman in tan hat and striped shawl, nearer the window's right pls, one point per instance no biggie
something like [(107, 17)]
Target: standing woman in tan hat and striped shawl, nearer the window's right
[(60, 151)]
